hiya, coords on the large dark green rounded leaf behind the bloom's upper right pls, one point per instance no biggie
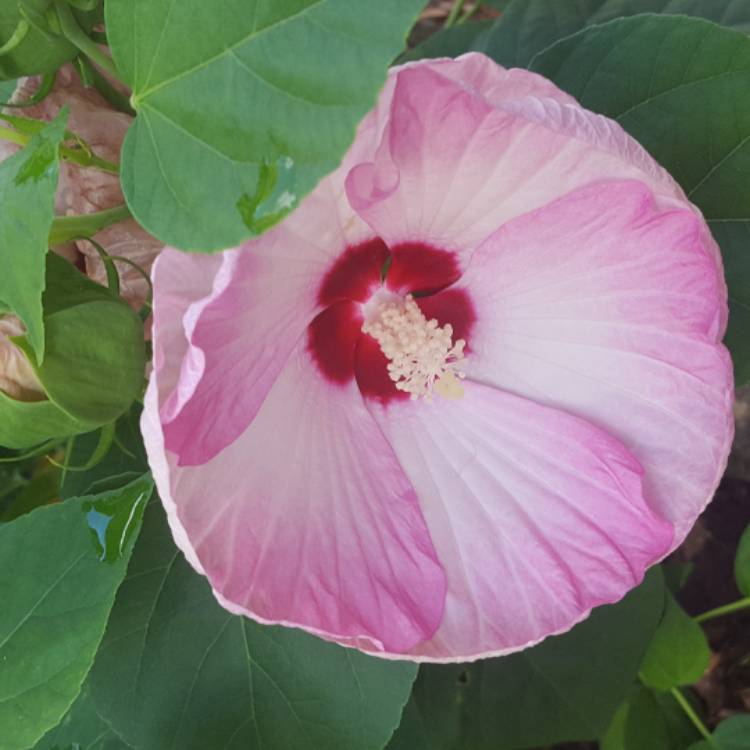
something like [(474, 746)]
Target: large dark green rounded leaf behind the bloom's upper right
[(679, 86)]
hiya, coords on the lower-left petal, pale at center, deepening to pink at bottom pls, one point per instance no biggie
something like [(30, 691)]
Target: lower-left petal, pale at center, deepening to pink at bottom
[(306, 519)]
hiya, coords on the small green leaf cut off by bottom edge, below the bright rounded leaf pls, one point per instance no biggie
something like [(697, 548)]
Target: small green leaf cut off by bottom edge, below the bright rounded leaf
[(649, 720)]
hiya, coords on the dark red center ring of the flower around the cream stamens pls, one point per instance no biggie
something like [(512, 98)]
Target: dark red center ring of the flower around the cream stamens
[(335, 338)]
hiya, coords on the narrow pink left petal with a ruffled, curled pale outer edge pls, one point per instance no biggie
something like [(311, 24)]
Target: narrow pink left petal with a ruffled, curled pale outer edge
[(263, 297)]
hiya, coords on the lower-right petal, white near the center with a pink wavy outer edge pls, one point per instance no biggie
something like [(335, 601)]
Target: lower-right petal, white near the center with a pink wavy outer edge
[(536, 516)]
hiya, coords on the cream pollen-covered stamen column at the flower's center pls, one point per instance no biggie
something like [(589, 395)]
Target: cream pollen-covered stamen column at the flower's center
[(423, 358)]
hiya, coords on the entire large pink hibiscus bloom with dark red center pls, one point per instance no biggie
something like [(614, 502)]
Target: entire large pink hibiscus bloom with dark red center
[(473, 387)]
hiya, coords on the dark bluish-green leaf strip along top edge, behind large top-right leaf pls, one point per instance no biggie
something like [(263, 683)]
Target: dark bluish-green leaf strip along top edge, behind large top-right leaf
[(529, 26)]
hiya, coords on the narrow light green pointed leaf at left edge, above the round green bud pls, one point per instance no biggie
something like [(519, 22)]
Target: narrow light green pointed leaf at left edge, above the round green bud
[(28, 181)]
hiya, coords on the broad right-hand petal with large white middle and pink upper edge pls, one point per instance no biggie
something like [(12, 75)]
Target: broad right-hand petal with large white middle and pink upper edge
[(612, 308)]
